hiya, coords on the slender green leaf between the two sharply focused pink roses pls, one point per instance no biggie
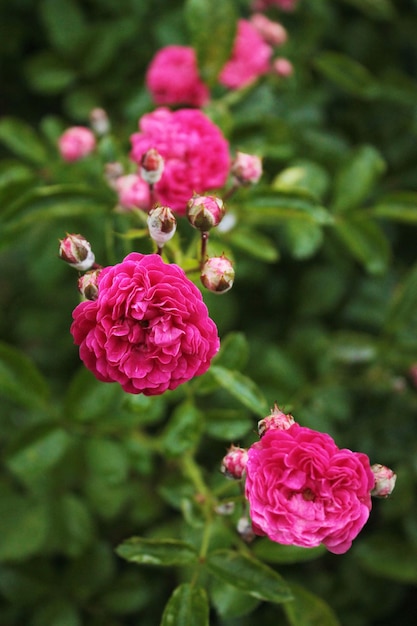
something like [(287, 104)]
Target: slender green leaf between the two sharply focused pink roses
[(242, 388)]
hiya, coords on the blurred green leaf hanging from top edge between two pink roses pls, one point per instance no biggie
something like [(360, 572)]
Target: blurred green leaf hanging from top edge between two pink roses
[(213, 43)]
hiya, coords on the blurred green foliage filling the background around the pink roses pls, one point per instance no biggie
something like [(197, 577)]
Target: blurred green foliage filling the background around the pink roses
[(322, 319)]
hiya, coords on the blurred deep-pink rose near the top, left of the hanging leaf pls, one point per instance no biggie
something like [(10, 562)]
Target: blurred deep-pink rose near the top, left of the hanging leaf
[(172, 77)]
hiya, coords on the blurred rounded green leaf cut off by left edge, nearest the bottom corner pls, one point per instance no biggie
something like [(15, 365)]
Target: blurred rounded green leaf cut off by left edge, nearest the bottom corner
[(23, 527)]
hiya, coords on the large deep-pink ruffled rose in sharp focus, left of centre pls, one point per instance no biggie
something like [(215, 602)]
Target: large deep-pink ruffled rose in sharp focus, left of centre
[(148, 330)]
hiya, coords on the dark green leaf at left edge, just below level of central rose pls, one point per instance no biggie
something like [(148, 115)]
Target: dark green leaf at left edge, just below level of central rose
[(20, 380)]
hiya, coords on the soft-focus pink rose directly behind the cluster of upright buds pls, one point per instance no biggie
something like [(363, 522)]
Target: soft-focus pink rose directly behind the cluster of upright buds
[(195, 153)]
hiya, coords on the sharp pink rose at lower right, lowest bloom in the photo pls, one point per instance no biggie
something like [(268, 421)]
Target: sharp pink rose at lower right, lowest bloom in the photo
[(303, 490)]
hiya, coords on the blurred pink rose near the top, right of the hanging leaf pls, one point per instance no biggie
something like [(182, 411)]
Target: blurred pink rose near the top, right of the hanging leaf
[(250, 58)]
